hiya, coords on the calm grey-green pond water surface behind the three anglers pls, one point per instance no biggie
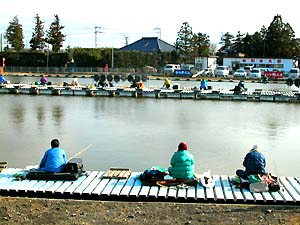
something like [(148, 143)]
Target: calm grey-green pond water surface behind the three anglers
[(139, 133)]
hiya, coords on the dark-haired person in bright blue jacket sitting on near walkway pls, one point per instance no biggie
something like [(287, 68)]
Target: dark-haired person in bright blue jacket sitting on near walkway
[(54, 159)]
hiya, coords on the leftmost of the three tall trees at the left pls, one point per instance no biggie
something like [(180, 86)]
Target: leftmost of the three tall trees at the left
[(14, 34)]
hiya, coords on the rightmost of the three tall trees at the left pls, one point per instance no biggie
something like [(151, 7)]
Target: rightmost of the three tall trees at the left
[(55, 36)]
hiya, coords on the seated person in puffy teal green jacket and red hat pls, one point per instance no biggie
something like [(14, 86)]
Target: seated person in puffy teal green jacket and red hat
[(182, 163)]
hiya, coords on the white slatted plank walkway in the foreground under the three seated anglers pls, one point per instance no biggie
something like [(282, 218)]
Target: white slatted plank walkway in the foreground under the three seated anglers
[(97, 186)]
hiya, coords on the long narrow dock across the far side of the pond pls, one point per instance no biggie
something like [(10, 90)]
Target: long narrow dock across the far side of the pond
[(188, 93)]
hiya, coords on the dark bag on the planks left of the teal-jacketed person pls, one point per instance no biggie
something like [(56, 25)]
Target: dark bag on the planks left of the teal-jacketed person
[(151, 175)]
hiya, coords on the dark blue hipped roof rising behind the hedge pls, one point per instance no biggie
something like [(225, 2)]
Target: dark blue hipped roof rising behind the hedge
[(149, 44)]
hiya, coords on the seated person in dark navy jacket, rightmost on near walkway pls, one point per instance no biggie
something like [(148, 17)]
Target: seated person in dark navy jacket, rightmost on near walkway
[(254, 163)]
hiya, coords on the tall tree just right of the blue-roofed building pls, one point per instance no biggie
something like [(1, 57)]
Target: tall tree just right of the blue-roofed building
[(184, 41)]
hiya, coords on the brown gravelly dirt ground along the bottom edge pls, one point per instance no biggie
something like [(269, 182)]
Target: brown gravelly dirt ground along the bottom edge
[(49, 211)]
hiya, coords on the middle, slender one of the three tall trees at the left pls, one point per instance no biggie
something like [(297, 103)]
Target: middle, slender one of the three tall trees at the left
[(38, 40)]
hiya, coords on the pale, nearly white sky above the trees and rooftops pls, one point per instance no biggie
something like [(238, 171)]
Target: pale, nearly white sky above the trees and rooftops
[(135, 19)]
